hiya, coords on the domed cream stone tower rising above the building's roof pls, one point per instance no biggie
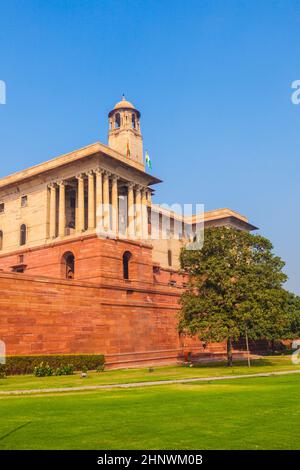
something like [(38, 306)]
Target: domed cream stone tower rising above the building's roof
[(124, 131)]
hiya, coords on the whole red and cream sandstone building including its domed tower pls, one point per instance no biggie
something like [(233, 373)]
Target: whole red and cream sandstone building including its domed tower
[(88, 263)]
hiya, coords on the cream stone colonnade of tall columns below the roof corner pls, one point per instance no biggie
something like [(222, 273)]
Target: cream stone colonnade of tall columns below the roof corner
[(102, 206)]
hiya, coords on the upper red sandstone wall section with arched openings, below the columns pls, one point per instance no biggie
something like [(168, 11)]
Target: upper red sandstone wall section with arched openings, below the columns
[(95, 259)]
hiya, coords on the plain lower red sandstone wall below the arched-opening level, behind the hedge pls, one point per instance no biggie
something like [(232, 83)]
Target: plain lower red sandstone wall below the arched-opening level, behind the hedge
[(42, 315)]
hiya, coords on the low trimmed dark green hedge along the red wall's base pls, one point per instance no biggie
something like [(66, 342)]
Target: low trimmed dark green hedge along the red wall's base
[(26, 364)]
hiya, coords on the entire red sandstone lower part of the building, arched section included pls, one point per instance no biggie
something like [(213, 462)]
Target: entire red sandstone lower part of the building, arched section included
[(131, 322)]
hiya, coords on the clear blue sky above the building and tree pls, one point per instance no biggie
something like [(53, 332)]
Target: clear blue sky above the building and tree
[(211, 78)]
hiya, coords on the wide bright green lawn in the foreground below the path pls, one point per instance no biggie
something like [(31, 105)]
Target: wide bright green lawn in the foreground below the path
[(260, 413)]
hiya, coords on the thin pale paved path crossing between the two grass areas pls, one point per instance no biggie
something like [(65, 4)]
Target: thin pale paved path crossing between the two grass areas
[(144, 384)]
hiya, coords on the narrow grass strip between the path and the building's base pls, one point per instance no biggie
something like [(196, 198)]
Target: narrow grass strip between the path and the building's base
[(267, 364)]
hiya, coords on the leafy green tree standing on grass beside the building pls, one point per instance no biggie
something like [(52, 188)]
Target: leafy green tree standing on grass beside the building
[(235, 288)]
